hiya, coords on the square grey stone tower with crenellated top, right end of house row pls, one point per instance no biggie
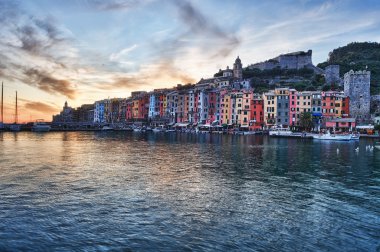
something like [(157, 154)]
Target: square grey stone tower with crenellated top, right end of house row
[(357, 87)]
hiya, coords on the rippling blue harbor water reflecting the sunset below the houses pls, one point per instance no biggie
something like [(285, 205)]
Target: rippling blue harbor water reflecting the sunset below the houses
[(128, 191)]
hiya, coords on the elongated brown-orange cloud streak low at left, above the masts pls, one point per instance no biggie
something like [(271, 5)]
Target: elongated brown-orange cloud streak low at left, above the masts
[(48, 83)]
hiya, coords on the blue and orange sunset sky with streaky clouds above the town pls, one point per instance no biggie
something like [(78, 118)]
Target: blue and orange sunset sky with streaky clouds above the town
[(81, 51)]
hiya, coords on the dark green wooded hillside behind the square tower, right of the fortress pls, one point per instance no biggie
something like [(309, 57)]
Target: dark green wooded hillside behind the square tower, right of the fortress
[(358, 56)]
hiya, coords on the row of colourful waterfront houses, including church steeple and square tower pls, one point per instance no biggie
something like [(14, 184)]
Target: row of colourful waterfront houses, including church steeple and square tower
[(228, 100)]
